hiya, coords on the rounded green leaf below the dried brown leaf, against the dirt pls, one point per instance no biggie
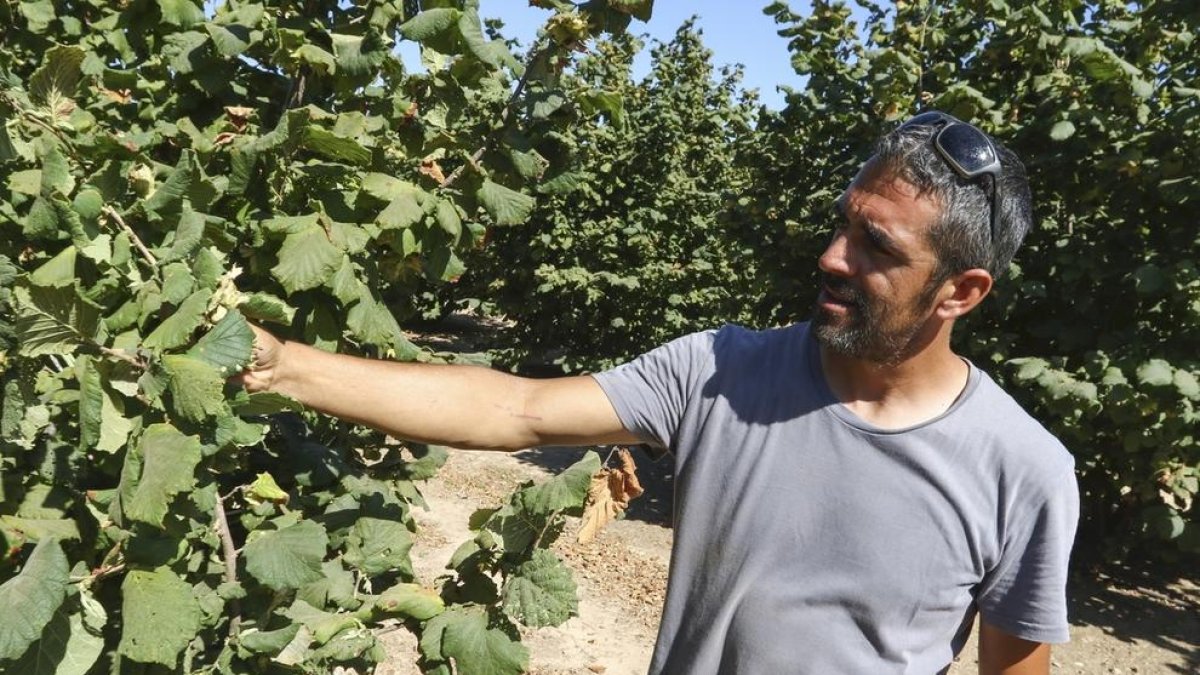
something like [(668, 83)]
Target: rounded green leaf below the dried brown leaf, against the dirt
[(542, 593)]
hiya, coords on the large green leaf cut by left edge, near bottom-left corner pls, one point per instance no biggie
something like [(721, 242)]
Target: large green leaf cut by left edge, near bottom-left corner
[(31, 599)]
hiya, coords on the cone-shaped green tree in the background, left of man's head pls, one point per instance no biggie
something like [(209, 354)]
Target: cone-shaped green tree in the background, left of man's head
[(632, 253)]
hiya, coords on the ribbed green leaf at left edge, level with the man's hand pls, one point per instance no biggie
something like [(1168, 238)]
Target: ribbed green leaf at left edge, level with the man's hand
[(53, 321)]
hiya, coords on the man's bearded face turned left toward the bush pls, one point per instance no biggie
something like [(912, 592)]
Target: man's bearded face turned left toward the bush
[(877, 297)]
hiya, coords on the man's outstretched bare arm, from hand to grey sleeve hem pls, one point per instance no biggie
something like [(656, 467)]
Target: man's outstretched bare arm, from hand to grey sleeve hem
[(454, 405)]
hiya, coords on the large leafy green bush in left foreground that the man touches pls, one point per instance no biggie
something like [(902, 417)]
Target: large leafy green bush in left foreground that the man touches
[(170, 175)]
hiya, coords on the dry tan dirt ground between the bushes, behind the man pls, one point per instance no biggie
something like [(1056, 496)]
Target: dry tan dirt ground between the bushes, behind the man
[(1142, 623)]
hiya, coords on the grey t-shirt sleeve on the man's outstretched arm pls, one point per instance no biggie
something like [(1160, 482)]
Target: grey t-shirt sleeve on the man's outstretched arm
[(652, 392)]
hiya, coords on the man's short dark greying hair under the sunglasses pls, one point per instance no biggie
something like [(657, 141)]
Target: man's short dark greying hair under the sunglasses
[(962, 238)]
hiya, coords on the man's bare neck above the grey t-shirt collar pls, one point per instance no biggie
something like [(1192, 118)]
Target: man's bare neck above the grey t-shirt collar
[(919, 389)]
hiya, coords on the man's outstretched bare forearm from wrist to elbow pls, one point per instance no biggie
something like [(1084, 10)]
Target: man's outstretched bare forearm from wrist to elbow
[(454, 405)]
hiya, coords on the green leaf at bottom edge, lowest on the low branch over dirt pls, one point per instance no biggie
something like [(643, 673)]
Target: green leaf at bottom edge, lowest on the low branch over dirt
[(465, 636)]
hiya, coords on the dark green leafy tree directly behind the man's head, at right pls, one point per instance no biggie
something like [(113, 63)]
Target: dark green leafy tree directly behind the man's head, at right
[(1095, 327)]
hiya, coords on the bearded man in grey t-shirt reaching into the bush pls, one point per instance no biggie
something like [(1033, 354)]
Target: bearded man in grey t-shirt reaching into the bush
[(850, 493)]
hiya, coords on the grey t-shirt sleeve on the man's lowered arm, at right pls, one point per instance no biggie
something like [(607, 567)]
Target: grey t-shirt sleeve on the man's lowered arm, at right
[(1025, 595)]
